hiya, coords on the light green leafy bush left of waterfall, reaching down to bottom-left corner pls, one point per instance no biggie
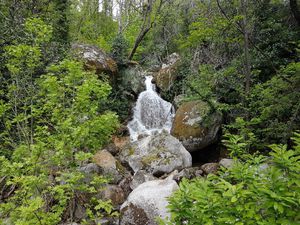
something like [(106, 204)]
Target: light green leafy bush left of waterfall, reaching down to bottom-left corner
[(41, 182)]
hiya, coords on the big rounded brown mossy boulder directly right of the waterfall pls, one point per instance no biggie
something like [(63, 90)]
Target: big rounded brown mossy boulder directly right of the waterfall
[(189, 128)]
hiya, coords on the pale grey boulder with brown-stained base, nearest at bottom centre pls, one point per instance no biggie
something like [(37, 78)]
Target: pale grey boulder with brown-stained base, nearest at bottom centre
[(147, 203)]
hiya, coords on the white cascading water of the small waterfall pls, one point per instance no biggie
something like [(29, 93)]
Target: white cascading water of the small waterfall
[(152, 114)]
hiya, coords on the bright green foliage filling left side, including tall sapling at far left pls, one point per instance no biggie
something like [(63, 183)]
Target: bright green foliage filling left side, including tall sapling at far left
[(51, 124)]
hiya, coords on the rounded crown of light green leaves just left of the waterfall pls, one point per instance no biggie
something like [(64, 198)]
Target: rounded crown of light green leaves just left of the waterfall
[(74, 98)]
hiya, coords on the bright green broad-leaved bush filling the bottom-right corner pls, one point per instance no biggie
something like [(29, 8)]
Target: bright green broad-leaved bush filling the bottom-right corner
[(259, 190)]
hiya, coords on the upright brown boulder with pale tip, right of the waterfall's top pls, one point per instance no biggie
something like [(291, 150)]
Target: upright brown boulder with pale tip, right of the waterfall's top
[(166, 76)]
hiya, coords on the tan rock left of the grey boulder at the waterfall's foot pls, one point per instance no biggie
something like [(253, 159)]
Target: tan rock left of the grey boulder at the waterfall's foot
[(110, 166)]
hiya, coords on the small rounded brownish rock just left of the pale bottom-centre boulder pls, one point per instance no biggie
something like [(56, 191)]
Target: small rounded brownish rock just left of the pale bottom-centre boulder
[(113, 193)]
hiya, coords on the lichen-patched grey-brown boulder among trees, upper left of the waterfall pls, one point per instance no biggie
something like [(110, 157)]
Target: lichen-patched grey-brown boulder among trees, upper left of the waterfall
[(95, 59)]
